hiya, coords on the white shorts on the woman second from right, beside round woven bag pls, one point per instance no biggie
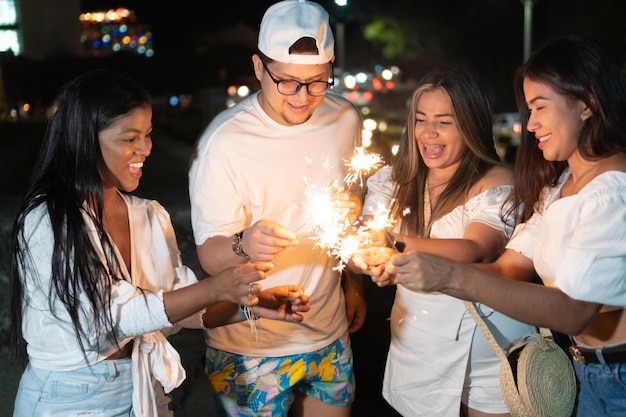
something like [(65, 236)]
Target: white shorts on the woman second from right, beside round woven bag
[(428, 375)]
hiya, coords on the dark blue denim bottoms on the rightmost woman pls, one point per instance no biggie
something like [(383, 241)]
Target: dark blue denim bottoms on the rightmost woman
[(602, 389)]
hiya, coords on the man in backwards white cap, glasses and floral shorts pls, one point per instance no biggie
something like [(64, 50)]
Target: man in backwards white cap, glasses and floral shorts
[(250, 175)]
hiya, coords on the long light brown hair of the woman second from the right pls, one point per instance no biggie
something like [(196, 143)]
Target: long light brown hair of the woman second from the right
[(472, 112)]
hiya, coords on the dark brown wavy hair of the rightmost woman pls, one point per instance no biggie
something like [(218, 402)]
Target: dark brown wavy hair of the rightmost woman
[(578, 68)]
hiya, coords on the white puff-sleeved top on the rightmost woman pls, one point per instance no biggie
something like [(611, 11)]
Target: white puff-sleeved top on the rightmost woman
[(578, 243)]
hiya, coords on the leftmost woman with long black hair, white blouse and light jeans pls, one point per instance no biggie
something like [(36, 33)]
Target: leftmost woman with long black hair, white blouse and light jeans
[(96, 272)]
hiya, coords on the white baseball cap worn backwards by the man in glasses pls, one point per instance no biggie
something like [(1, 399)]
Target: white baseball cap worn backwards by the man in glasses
[(289, 20)]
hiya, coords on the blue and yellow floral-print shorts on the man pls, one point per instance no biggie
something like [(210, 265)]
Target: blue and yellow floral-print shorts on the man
[(264, 386)]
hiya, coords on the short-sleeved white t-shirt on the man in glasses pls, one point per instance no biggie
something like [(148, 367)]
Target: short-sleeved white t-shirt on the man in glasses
[(247, 167)]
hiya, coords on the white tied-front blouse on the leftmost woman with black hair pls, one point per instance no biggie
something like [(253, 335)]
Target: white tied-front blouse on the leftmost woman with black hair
[(156, 267)]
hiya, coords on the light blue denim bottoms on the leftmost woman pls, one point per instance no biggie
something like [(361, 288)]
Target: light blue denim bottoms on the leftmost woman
[(101, 390)]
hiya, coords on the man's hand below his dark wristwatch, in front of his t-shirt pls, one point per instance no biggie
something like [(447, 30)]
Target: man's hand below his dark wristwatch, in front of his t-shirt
[(265, 239)]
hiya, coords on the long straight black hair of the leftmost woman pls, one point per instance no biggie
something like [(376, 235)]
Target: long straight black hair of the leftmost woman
[(67, 181)]
